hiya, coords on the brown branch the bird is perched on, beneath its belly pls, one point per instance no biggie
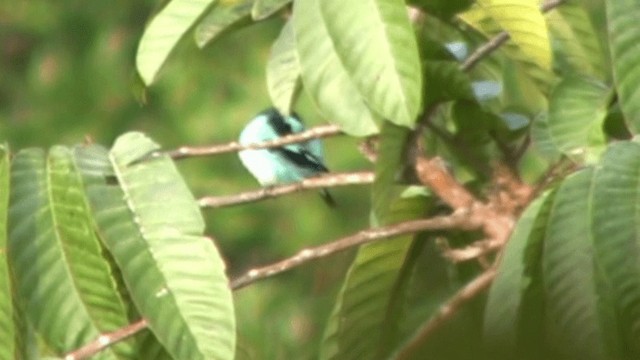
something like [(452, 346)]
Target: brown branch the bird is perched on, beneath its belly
[(325, 181)]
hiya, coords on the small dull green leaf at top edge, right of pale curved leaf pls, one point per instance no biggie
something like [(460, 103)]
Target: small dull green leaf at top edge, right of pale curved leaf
[(223, 15)]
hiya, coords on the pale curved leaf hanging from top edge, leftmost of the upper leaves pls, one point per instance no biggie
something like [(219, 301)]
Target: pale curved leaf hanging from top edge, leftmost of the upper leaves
[(164, 32)]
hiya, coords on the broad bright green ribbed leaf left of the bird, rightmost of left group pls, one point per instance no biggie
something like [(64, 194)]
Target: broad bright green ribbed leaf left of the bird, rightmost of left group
[(152, 225)]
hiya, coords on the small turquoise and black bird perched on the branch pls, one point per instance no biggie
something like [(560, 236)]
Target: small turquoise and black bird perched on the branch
[(286, 164)]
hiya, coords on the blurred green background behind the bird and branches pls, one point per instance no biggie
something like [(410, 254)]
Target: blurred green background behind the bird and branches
[(67, 72)]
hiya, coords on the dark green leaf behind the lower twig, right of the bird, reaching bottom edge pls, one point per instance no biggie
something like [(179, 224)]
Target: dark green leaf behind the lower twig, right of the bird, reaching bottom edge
[(366, 295)]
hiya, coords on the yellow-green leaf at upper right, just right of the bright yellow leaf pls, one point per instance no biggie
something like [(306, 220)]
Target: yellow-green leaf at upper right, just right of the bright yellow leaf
[(575, 41)]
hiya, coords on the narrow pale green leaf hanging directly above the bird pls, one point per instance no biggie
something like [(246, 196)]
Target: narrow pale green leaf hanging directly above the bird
[(283, 70)]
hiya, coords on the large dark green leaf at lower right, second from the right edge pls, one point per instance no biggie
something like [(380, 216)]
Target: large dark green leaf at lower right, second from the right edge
[(576, 308)]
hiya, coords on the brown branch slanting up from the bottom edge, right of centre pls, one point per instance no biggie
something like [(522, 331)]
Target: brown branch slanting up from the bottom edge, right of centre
[(445, 313)]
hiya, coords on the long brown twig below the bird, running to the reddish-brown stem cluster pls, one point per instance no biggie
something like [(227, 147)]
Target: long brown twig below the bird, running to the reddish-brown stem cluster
[(455, 220)]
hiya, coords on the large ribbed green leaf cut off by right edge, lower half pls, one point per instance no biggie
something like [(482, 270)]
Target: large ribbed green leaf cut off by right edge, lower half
[(616, 229)]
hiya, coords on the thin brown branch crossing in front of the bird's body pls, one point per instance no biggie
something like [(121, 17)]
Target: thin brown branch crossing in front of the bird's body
[(234, 146)]
